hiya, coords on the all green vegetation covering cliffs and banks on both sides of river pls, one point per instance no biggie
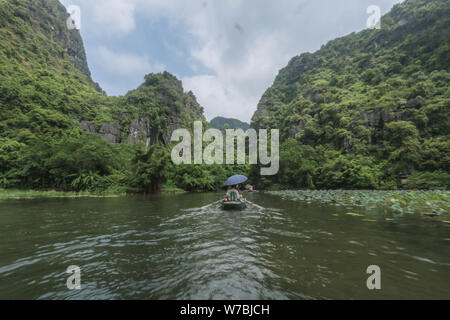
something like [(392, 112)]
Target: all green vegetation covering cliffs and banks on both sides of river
[(367, 111)]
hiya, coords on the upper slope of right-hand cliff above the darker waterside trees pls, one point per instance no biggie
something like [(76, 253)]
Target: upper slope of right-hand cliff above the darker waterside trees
[(370, 79)]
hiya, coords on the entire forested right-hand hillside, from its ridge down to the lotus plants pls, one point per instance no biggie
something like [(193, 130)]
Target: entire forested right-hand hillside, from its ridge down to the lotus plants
[(369, 110)]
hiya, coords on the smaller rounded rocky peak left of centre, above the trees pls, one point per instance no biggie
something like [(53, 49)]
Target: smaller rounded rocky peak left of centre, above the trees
[(151, 112)]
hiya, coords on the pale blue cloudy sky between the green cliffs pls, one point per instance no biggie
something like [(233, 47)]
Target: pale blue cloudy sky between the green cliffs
[(227, 52)]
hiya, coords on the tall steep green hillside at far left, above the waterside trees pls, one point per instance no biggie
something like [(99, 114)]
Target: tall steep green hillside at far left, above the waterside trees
[(42, 92)]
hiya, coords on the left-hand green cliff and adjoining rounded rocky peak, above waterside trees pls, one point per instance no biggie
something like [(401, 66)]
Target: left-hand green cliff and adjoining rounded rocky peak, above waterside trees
[(46, 82)]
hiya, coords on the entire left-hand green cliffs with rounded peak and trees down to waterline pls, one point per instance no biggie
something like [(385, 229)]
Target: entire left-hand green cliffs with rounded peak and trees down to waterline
[(46, 92)]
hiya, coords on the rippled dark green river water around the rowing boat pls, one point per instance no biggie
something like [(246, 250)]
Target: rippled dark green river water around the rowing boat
[(165, 247)]
